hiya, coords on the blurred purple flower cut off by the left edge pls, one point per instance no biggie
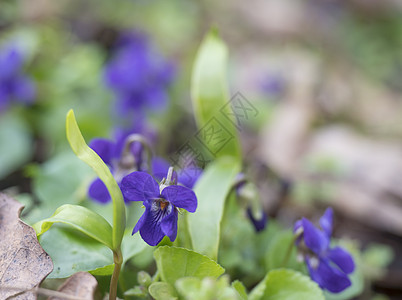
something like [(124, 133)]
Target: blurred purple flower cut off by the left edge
[(14, 85)]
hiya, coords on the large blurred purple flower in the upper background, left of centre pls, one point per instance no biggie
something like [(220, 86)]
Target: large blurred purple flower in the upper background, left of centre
[(138, 76)]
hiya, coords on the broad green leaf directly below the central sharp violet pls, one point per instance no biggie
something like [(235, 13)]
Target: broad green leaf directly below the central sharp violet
[(174, 263)]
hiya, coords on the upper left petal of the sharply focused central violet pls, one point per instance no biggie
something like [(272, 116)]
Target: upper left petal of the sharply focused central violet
[(139, 186)]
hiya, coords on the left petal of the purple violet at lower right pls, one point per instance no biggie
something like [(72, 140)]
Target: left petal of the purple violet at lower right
[(316, 240)]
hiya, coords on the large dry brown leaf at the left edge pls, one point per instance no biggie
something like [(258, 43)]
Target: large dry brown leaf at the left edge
[(23, 262)]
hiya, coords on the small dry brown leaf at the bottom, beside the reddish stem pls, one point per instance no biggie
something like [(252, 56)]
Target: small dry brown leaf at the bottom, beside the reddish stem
[(81, 285)]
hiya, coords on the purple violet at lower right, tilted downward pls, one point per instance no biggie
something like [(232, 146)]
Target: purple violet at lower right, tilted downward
[(329, 267)]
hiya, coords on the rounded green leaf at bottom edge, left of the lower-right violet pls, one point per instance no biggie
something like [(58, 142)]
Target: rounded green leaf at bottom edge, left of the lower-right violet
[(286, 284)]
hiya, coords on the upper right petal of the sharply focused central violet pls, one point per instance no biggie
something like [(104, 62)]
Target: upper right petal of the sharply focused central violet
[(180, 196)]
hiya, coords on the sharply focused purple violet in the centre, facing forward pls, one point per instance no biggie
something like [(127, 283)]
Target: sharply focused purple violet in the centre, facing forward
[(161, 205)]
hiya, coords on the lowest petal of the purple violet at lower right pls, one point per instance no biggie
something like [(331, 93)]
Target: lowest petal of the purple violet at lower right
[(327, 277)]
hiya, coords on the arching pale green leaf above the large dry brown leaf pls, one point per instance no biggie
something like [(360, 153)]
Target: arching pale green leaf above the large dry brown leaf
[(81, 218)]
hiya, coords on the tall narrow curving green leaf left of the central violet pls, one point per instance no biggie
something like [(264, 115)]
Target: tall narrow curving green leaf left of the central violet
[(90, 157)]
